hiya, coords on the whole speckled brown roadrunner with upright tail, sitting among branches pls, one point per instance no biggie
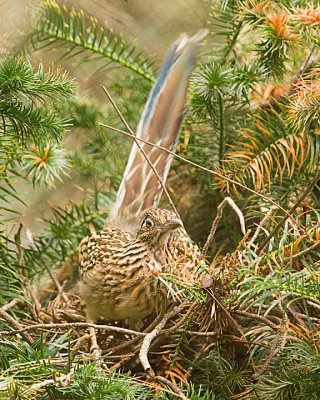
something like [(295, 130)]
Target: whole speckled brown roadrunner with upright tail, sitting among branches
[(120, 265)]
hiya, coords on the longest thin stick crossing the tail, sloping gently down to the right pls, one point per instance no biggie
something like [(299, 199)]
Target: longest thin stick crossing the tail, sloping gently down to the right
[(202, 168)]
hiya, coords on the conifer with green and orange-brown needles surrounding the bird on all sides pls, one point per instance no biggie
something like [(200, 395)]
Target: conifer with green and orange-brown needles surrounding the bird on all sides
[(252, 332)]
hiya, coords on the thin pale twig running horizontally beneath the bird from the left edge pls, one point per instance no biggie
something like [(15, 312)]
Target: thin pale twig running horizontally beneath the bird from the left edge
[(71, 325)]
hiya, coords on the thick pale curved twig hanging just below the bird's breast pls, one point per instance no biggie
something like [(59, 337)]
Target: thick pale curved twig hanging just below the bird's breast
[(143, 354)]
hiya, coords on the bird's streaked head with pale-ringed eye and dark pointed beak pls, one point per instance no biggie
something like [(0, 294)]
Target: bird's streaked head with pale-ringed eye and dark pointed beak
[(157, 224)]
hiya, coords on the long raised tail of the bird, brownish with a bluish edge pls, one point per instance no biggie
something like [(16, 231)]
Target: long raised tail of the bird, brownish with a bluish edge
[(160, 124)]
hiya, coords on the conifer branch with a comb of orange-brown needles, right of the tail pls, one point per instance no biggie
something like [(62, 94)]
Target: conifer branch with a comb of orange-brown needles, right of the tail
[(267, 149)]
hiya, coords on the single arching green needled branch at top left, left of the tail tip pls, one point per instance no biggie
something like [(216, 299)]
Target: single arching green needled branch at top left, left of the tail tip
[(78, 34)]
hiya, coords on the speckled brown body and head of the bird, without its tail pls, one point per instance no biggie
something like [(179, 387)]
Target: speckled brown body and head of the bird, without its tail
[(119, 269)]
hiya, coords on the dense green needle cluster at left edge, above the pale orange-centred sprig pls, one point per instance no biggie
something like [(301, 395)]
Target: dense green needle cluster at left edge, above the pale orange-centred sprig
[(28, 100)]
